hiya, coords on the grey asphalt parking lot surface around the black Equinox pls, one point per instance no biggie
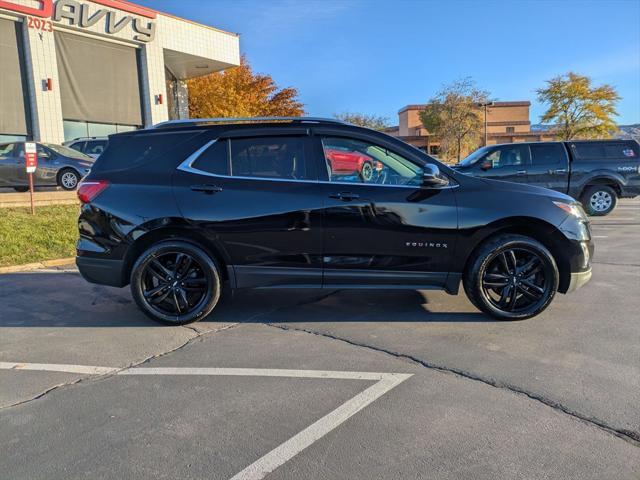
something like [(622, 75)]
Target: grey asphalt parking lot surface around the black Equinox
[(331, 385)]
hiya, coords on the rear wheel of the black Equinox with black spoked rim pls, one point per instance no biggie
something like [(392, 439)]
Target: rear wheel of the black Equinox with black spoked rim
[(191, 280)]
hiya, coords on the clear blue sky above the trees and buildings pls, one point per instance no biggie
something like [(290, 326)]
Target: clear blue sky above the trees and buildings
[(375, 56)]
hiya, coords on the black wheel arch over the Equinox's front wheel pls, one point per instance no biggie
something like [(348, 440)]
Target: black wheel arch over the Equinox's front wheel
[(540, 230)]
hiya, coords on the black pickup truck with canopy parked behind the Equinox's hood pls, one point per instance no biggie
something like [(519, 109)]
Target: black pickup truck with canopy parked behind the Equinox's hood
[(596, 172)]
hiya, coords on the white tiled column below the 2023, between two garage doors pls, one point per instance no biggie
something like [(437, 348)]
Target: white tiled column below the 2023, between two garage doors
[(46, 106)]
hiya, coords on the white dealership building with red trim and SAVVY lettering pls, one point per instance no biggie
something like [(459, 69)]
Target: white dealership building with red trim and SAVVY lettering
[(73, 68)]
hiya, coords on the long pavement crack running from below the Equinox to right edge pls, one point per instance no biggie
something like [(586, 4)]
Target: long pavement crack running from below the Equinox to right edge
[(628, 436)]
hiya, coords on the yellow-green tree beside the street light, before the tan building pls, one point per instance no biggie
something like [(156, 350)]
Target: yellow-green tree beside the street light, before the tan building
[(454, 117)]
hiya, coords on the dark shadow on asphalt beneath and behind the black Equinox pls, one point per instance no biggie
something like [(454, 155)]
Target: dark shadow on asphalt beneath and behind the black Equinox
[(63, 299)]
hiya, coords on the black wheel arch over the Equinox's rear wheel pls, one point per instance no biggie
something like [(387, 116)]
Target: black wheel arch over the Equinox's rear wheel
[(180, 233)]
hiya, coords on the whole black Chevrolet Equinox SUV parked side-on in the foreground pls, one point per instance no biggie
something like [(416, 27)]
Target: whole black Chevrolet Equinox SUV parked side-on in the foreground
[(180, 209)]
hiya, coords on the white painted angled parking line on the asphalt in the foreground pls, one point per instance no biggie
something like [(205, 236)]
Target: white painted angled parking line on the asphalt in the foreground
[(285, 451)]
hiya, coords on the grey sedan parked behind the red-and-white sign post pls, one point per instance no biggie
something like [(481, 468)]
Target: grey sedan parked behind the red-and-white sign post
[(57, 166)]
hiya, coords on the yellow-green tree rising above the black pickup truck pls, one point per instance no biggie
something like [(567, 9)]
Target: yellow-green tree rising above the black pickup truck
[(577, 108)]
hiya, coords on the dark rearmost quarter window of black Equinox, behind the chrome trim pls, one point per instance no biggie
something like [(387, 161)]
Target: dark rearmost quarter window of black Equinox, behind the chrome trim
[(127, 151)]
